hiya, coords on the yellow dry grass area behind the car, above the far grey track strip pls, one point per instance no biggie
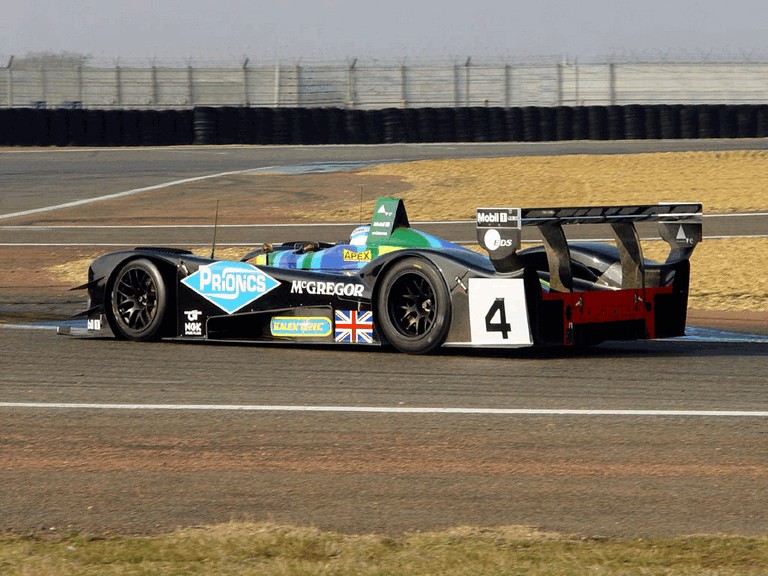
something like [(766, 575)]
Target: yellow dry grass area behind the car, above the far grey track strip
[(451, 189)]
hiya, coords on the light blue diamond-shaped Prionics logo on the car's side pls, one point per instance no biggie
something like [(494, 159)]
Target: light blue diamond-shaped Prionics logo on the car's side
[(230, 285)]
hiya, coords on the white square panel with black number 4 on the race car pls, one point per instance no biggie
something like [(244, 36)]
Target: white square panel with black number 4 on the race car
[(497, 312)]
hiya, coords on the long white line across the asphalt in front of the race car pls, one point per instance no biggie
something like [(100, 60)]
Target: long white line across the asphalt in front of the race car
[(387, 410)]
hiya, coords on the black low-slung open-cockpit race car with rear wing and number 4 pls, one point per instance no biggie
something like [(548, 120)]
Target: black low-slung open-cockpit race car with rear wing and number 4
[(390, 284)]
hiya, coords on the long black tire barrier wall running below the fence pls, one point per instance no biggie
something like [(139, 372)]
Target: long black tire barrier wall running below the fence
[(232, 125)]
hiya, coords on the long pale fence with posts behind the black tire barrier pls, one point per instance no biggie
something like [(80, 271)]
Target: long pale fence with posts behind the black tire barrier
[(79, 83)]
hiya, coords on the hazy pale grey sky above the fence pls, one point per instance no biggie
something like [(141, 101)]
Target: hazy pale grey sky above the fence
[(392, 30)]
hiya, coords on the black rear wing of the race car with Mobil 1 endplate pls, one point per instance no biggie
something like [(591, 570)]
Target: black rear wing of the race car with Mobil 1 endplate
[(499, 231)]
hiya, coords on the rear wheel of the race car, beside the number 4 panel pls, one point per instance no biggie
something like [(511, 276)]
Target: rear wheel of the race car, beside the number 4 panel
[(414, 306)]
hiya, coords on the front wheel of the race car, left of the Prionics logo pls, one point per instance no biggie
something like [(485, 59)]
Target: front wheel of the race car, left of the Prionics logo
[(138, 302)]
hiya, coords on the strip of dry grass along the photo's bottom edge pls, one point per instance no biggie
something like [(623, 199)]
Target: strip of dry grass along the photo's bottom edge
[(265, 549)]
